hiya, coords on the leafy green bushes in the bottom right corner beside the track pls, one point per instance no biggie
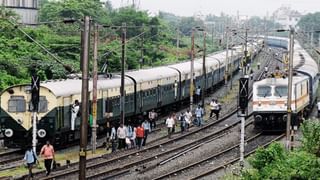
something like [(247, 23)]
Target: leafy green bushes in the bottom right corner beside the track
[(275, 162)]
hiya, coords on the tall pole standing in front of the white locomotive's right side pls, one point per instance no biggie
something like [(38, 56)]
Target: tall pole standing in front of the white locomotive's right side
[(288, 138)]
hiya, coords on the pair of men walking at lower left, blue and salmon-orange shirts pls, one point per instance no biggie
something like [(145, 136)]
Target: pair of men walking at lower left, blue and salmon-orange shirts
[(31, 158)]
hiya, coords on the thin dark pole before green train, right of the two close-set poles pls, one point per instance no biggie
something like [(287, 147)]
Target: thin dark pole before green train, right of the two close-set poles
[(123, 56)]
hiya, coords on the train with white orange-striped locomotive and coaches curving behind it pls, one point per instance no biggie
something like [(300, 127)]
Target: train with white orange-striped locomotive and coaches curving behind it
[(270, 95)]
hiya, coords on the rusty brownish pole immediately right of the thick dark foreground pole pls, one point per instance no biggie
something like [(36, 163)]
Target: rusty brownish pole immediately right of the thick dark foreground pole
[(94, 89)]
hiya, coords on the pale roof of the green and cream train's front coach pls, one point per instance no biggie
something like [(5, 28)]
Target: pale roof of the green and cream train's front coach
[(68, 87)]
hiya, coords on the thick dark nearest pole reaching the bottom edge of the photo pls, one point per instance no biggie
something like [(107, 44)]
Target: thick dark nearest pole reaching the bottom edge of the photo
[(84, 99)]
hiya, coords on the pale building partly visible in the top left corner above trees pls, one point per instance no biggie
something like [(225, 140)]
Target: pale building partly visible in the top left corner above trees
[(26, 9)]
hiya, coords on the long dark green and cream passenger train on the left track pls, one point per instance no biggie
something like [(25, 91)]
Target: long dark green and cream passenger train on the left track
[(145, 89)]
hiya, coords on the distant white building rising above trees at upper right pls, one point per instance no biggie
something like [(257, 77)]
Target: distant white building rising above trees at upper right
[(286, 16)]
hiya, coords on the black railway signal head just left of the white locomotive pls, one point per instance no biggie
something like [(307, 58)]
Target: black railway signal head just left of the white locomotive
[(243, 93)]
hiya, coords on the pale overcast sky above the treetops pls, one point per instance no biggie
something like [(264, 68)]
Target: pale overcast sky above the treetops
[(204, 7)]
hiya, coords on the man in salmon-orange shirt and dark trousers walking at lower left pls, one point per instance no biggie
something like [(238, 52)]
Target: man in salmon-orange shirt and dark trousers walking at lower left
[(47, 152)]
